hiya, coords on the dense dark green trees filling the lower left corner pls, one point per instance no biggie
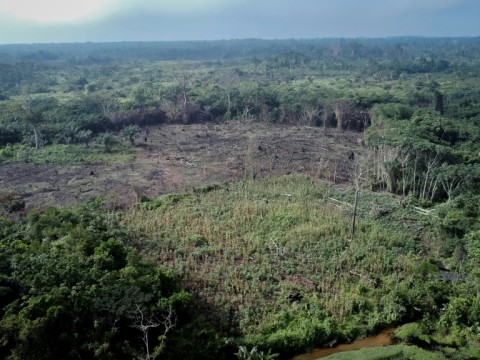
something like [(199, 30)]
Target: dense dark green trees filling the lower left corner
[(72, 284)]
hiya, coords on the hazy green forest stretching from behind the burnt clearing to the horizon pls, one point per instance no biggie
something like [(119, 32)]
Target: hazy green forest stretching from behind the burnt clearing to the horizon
[(74, 93)]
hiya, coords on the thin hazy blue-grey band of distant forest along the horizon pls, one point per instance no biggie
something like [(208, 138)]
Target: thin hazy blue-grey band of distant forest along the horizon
[(392, 48)]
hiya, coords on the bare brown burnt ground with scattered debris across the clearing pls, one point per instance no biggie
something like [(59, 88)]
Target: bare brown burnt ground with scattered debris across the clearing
[(177, 158)]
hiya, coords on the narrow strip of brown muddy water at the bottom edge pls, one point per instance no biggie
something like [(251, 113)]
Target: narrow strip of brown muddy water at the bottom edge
[(382, 339)]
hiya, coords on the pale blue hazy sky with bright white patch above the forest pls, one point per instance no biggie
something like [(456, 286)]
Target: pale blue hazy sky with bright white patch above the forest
[(28, 21)]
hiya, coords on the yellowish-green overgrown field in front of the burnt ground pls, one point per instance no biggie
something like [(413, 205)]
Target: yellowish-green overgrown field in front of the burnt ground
[(247, 248)]
